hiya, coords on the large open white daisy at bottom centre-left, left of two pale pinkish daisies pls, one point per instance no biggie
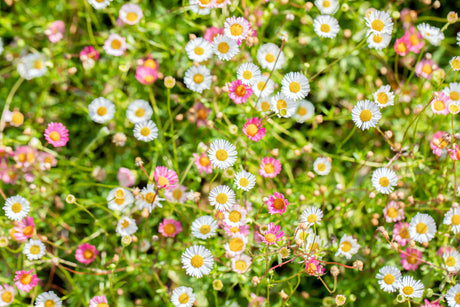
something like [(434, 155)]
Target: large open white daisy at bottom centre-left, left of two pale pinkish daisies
[(197, 261)]
